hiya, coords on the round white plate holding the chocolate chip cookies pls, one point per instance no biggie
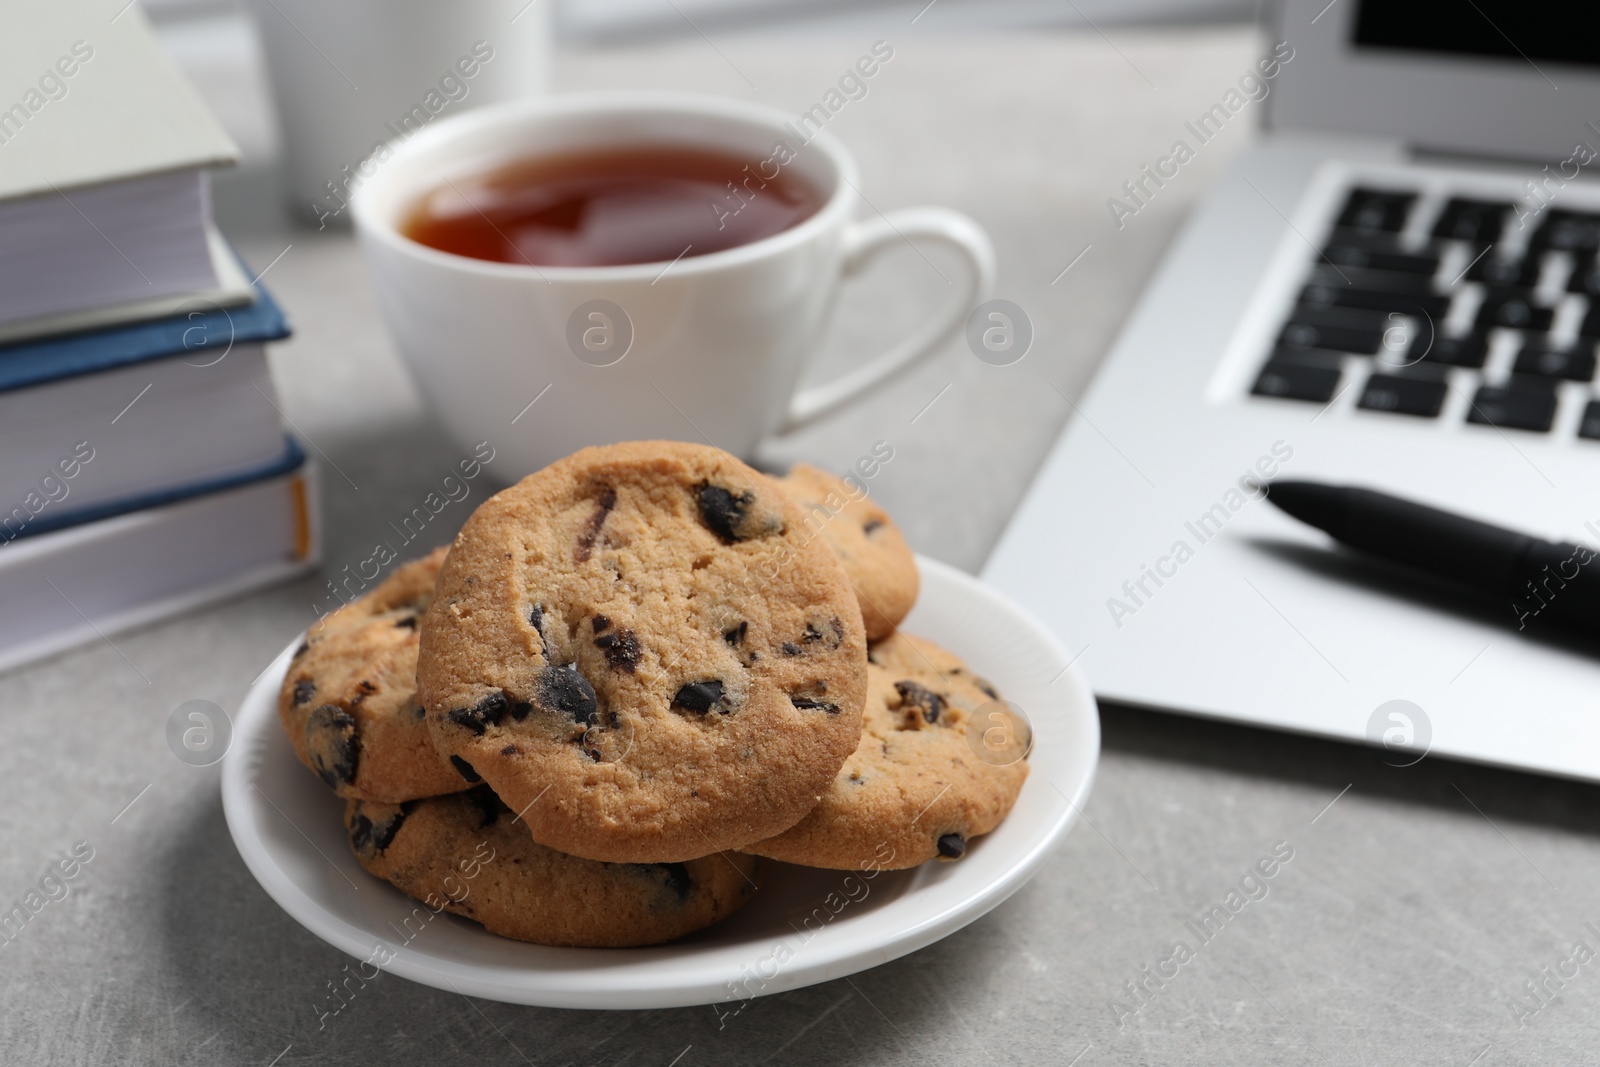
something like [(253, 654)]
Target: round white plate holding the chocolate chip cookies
[(804, 927)]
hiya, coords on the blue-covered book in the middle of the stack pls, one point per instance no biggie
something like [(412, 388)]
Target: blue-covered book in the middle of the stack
[(110, 422)]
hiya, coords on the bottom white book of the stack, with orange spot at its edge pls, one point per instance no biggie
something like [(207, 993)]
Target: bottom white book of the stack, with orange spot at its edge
[(92, 581)]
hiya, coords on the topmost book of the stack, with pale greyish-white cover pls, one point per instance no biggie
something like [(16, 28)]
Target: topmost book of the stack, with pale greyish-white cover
[(105, 199)]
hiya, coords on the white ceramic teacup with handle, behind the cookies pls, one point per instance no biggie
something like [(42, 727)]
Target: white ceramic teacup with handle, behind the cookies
[(546, 361)]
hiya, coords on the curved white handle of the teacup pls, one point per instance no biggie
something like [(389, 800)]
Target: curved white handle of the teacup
[(865, 241)]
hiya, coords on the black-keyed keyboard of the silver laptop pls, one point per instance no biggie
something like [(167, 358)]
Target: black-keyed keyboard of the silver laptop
[(1410, 310)]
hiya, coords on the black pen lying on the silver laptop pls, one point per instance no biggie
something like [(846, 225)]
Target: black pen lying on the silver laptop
[(1537, 580)]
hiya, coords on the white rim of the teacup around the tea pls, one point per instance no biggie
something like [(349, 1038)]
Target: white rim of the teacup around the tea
[(836, 209)]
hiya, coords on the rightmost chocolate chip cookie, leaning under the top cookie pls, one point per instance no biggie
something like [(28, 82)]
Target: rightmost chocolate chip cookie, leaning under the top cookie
[(918, 786)]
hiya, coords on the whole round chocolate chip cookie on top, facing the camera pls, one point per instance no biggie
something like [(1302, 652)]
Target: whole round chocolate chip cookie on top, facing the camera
[(642, 652)]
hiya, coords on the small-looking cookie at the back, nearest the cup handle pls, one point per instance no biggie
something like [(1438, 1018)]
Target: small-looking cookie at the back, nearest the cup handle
[(878, 561)]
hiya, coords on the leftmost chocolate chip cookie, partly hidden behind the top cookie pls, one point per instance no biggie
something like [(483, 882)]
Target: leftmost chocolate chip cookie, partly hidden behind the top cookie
[(350, 698)]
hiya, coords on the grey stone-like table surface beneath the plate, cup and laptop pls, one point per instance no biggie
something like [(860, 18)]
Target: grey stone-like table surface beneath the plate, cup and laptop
[(1420, 908)]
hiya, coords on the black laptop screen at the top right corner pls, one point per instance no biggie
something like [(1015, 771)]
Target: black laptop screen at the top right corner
[(1559, 31)]
